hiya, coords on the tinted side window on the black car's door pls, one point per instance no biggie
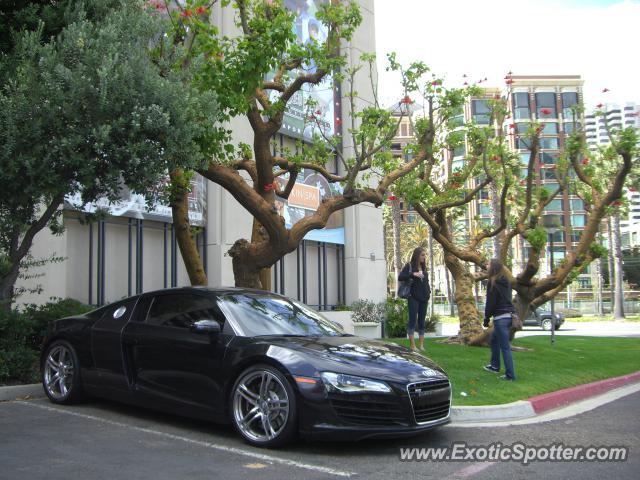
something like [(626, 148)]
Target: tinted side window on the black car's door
[(181, 310)]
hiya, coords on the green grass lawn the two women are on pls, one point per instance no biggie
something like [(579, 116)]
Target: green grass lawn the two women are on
[(572, 361)]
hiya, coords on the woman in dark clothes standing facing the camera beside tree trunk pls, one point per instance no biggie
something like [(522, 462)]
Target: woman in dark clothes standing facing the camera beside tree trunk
[(416, 270)]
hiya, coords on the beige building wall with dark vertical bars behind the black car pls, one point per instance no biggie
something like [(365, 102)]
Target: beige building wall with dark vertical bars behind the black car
[(132, 250)]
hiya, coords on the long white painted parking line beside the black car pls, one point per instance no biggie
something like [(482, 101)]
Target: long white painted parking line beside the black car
[(215, 446)]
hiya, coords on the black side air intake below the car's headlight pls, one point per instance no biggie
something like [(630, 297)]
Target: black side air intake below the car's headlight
[(369, 412)]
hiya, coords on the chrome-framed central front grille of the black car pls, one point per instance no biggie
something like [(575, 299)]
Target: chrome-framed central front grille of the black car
[(430, 400)]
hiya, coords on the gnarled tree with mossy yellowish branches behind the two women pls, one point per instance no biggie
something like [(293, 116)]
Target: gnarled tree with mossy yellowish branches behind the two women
[(597, 179)]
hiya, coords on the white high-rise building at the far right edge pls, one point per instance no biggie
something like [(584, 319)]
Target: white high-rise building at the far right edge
[(617, 117)]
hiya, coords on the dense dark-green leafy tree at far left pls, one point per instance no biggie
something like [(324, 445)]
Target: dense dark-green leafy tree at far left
[(83, 110)]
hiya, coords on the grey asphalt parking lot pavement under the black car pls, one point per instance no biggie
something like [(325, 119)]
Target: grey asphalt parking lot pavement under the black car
[(104, 440)]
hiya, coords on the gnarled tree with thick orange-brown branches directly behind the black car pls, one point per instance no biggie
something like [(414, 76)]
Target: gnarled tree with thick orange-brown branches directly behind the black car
[(266, 43)]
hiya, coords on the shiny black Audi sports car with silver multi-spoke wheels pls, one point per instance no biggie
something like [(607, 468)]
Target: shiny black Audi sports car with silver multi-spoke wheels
[(272, 366)]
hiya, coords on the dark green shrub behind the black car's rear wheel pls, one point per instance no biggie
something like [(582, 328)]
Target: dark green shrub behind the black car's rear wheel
[(22, 334)]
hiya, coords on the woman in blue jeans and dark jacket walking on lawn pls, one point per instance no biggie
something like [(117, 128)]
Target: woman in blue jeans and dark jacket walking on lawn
[(499, 307)]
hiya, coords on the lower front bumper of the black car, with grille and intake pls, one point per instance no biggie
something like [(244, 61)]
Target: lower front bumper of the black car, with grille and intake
[(408, 410)]
